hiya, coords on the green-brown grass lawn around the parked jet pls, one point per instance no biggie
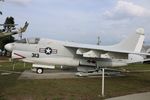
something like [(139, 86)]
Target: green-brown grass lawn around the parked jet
[(71, 89)]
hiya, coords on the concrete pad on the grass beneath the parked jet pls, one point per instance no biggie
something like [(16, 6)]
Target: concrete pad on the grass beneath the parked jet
[(58, 74)]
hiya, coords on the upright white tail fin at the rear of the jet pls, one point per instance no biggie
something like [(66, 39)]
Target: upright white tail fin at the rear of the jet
[(133, 43)]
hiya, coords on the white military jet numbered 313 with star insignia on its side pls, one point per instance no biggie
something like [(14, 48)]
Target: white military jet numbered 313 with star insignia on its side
[(48, 53)]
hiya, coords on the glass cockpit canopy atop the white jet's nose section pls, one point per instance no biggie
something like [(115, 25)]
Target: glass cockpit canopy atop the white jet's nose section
[(29, 40)]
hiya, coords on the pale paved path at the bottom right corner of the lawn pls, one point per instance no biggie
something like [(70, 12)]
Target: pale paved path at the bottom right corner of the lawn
[(139, 96)]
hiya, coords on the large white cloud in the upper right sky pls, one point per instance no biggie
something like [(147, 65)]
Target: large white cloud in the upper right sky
[(125, 9)]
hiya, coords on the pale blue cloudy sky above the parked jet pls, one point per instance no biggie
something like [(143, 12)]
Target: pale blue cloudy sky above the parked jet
[(80, 20)]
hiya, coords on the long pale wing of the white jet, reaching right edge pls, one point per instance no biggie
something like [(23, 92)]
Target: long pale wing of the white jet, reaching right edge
[(97, 50)]
